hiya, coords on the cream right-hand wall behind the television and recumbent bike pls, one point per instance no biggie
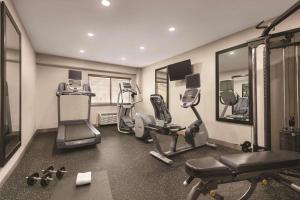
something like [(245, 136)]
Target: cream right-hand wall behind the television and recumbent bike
[(203, 59)]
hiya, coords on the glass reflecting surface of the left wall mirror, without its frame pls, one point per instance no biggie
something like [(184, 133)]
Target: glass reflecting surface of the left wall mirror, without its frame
[(12, 91)]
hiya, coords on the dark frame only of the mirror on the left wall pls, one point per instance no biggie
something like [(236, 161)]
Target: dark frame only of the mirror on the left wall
[(5, 13)]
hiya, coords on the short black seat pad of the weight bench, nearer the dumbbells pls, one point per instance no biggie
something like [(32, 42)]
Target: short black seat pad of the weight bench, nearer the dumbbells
[(206, 167)]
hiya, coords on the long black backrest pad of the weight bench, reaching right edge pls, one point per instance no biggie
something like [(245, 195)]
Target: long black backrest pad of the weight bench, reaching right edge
[(258, 161)]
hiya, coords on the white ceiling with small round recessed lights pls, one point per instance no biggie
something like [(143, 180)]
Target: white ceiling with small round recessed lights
[(60, 27)]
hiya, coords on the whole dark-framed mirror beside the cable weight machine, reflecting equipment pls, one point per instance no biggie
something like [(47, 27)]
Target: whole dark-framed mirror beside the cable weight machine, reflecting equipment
[(232, 81)]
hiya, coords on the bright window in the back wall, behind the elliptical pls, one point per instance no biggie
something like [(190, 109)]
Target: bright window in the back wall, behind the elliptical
[(106, 89)]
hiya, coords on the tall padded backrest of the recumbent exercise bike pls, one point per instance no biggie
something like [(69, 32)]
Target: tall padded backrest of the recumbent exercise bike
[(160, 108)]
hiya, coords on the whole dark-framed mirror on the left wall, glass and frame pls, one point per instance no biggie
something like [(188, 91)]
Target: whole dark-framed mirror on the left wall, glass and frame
[(10, 86)]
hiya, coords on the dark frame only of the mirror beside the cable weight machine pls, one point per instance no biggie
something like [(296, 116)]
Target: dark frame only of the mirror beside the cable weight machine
[(218, 53)]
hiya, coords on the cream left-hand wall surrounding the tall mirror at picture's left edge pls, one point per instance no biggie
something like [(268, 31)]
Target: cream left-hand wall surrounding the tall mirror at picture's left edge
[(28, 95)]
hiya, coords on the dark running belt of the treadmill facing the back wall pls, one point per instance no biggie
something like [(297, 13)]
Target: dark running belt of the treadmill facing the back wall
[(78, 132)]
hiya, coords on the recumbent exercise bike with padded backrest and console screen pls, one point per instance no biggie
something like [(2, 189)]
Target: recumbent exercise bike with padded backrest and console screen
[(195, 134)]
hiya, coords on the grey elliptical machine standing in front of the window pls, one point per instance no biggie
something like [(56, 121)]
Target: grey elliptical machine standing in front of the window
[(128, 120)]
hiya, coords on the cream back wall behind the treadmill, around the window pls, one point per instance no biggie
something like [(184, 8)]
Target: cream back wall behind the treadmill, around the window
[(52, 70)]
